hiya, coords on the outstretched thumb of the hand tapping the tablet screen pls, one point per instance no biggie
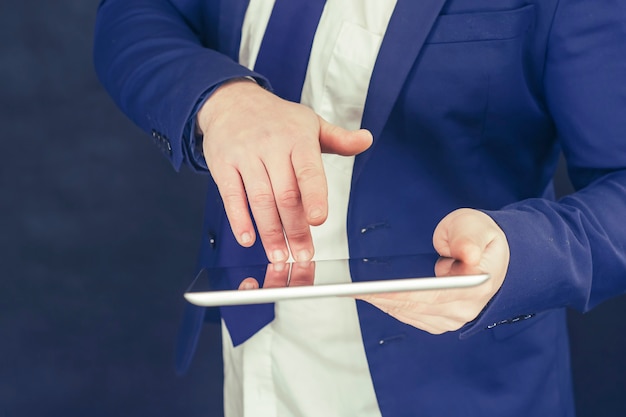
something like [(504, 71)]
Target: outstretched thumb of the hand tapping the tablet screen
[(337, 140)]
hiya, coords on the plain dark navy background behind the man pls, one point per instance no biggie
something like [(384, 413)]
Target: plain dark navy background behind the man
[(98, 241)]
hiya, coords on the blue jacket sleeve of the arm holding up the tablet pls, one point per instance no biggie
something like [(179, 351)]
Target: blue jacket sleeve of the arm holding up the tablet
[(572, 253)]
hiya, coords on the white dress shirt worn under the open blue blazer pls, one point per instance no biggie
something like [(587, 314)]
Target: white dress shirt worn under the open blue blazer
[(310, 361)]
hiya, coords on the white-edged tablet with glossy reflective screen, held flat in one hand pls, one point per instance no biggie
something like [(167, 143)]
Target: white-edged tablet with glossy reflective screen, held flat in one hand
[(271, 283)]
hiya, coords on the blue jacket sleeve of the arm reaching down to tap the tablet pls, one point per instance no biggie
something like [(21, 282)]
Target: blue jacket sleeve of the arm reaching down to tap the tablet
[(158, 59)]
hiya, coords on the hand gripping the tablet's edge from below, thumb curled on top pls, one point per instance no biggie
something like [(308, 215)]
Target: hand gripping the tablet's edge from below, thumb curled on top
[(468, 239)]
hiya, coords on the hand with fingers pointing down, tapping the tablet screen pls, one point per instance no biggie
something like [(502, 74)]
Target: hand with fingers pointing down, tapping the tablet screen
[(265, 152)]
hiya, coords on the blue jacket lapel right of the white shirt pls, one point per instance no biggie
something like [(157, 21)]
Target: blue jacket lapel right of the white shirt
[(408, 28)]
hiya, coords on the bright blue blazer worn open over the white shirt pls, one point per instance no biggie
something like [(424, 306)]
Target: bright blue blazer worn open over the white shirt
[(470, 103)]
